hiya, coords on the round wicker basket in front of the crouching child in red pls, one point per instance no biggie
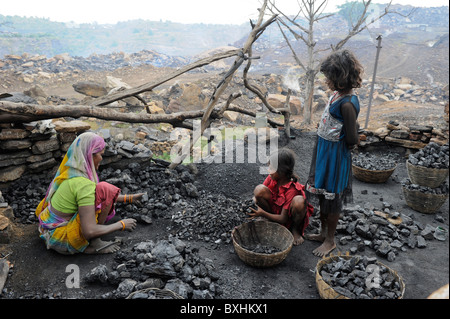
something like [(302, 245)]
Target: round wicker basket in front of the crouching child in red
[(264, 233)]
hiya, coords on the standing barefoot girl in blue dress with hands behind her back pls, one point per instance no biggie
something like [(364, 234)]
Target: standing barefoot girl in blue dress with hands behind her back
[(337, 134)]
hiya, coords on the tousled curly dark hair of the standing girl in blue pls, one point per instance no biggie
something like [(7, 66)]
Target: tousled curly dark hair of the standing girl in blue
[(343, 70)]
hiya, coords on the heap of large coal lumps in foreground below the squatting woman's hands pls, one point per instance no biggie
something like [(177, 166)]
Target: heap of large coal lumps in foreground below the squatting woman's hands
[(165, 264)]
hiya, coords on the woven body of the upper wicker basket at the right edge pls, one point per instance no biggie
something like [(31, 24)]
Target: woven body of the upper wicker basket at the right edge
[(424, 176)]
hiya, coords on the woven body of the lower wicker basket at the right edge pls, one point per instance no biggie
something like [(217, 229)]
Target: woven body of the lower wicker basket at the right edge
[(422, 202)]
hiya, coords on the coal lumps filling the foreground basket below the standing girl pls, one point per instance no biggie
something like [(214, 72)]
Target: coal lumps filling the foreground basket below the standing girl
[(361, 278)]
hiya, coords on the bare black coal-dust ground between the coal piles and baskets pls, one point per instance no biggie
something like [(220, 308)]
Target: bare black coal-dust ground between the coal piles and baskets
[(40, 273)]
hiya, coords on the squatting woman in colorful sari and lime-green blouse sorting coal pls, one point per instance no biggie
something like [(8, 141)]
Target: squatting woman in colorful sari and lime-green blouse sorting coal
[(74, 211)]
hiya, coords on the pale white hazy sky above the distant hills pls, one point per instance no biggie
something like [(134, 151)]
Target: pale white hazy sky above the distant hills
[(184, 11)]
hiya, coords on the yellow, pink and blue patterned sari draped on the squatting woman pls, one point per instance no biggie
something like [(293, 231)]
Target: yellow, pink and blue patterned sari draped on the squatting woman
[(59, 234)]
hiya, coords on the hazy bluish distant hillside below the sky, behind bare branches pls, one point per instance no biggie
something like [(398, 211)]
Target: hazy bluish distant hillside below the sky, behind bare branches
[(40, 36)]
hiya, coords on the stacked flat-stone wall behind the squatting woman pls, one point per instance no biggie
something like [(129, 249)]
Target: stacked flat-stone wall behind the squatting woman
[(39, 146)]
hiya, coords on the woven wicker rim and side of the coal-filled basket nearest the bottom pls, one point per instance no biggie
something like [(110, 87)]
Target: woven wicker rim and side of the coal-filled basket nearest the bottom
[(327, 292)]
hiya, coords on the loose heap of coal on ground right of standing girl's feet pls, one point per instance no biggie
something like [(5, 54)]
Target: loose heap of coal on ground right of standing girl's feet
[(385, 231)]
